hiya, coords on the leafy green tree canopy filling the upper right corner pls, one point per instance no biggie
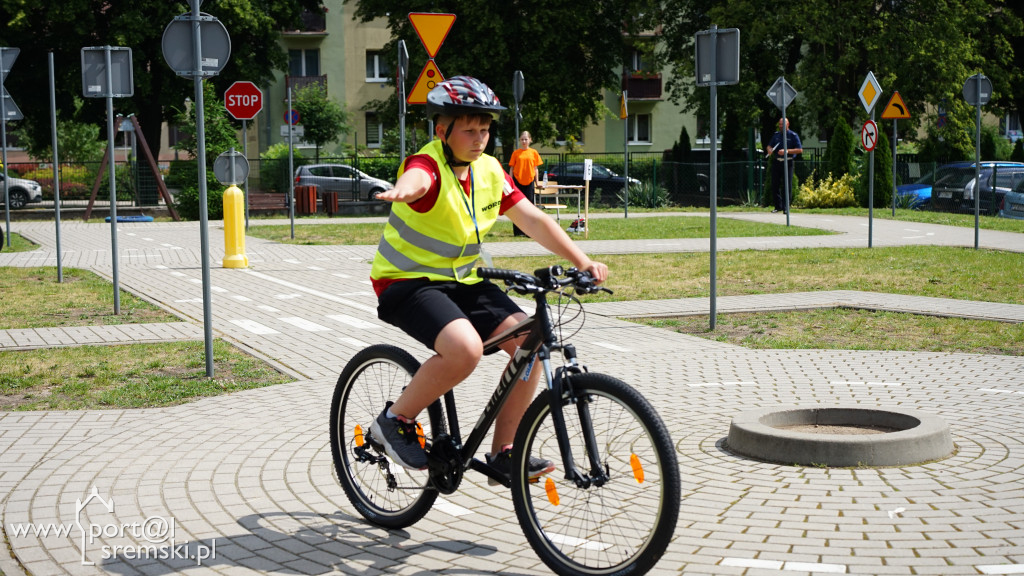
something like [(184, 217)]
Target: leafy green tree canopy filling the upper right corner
[(924, 49)]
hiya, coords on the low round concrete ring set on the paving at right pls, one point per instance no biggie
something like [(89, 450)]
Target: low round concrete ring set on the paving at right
[(840, 436)]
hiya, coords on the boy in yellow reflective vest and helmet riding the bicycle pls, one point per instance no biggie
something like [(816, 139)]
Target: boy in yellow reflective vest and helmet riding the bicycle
[(447, 198)]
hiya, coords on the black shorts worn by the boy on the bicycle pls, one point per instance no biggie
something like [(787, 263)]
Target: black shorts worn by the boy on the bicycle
[(422, 308)]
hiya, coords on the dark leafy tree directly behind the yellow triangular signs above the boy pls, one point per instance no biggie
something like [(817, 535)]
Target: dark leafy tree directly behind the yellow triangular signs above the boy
[(569, 56)]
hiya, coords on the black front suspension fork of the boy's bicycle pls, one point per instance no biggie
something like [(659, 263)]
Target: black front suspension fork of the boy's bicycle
[(562, 394)]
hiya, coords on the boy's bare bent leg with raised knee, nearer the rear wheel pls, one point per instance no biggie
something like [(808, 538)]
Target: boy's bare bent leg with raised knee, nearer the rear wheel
[(459, 351)]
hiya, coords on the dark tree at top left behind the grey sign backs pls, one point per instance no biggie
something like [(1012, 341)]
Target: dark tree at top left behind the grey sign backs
[(40, 27)]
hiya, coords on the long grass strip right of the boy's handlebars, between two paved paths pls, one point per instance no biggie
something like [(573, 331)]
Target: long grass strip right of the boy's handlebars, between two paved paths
[(928, 271)]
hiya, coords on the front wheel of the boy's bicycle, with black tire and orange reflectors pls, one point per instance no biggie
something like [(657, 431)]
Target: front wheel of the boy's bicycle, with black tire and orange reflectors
[(621, 528)]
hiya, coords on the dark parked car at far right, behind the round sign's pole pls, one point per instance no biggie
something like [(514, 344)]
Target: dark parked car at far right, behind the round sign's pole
[(954, 192)]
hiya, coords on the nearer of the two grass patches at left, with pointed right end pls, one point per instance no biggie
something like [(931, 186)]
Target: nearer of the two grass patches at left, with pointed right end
[(125, 377)]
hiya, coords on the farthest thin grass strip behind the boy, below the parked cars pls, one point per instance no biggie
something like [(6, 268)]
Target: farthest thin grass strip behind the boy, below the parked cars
[(605, 229)]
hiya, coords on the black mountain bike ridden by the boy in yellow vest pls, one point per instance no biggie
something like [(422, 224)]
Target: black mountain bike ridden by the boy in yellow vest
[(612, 505)]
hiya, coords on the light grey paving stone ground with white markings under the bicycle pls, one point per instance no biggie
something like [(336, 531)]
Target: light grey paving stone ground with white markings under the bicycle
[(248, 477)]
